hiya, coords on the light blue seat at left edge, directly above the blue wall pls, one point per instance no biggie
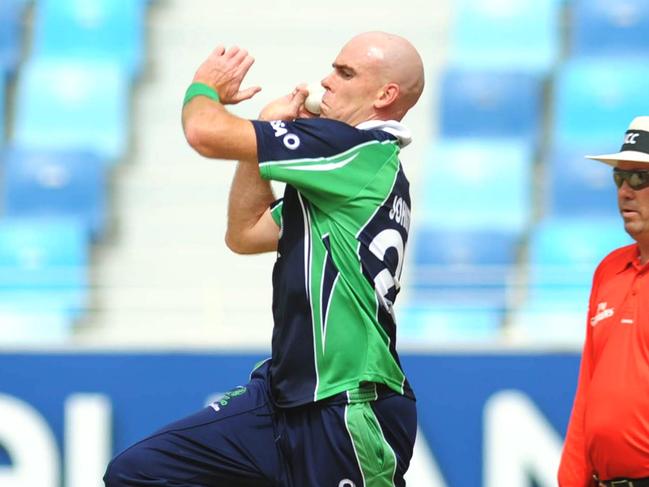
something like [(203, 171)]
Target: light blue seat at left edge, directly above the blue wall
[(43, 278)]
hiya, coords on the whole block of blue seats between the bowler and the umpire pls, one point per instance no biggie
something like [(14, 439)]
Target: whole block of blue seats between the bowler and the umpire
[(514, 247)]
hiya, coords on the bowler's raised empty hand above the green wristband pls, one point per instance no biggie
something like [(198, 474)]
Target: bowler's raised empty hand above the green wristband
[(224, 70)]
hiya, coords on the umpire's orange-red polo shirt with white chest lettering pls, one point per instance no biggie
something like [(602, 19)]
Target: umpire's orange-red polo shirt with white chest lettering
[(608, 433)]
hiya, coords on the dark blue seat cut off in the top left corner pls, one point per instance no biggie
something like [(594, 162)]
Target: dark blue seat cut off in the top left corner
[(11, 41)]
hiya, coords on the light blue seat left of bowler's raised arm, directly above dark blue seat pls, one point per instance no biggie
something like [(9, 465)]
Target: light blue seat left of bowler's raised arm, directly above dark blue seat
[(81, 106)]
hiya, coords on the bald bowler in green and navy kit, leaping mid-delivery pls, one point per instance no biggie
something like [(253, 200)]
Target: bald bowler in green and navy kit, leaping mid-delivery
[(332, 406)]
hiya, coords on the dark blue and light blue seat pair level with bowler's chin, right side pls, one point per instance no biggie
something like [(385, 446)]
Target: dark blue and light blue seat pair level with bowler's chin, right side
[(592, 99)]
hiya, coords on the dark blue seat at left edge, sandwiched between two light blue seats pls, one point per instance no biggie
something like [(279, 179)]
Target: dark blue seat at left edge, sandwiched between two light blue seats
[(45, 184)]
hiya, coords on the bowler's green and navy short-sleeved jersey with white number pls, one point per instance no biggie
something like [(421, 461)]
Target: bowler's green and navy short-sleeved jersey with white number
[(344, 221)]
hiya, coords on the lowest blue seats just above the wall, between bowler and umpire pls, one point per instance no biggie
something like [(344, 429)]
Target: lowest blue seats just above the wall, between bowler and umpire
[(467, 284)]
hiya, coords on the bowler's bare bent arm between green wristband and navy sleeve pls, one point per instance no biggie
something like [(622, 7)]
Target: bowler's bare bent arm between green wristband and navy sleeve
[(214, 132)]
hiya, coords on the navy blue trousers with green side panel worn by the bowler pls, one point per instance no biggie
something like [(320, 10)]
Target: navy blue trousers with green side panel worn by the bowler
[(243, 440)]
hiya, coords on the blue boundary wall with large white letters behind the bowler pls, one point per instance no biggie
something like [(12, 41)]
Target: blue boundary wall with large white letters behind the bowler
[(485, 418)]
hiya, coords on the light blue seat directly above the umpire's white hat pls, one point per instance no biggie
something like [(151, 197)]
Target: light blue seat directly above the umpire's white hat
[(596, 99)]
